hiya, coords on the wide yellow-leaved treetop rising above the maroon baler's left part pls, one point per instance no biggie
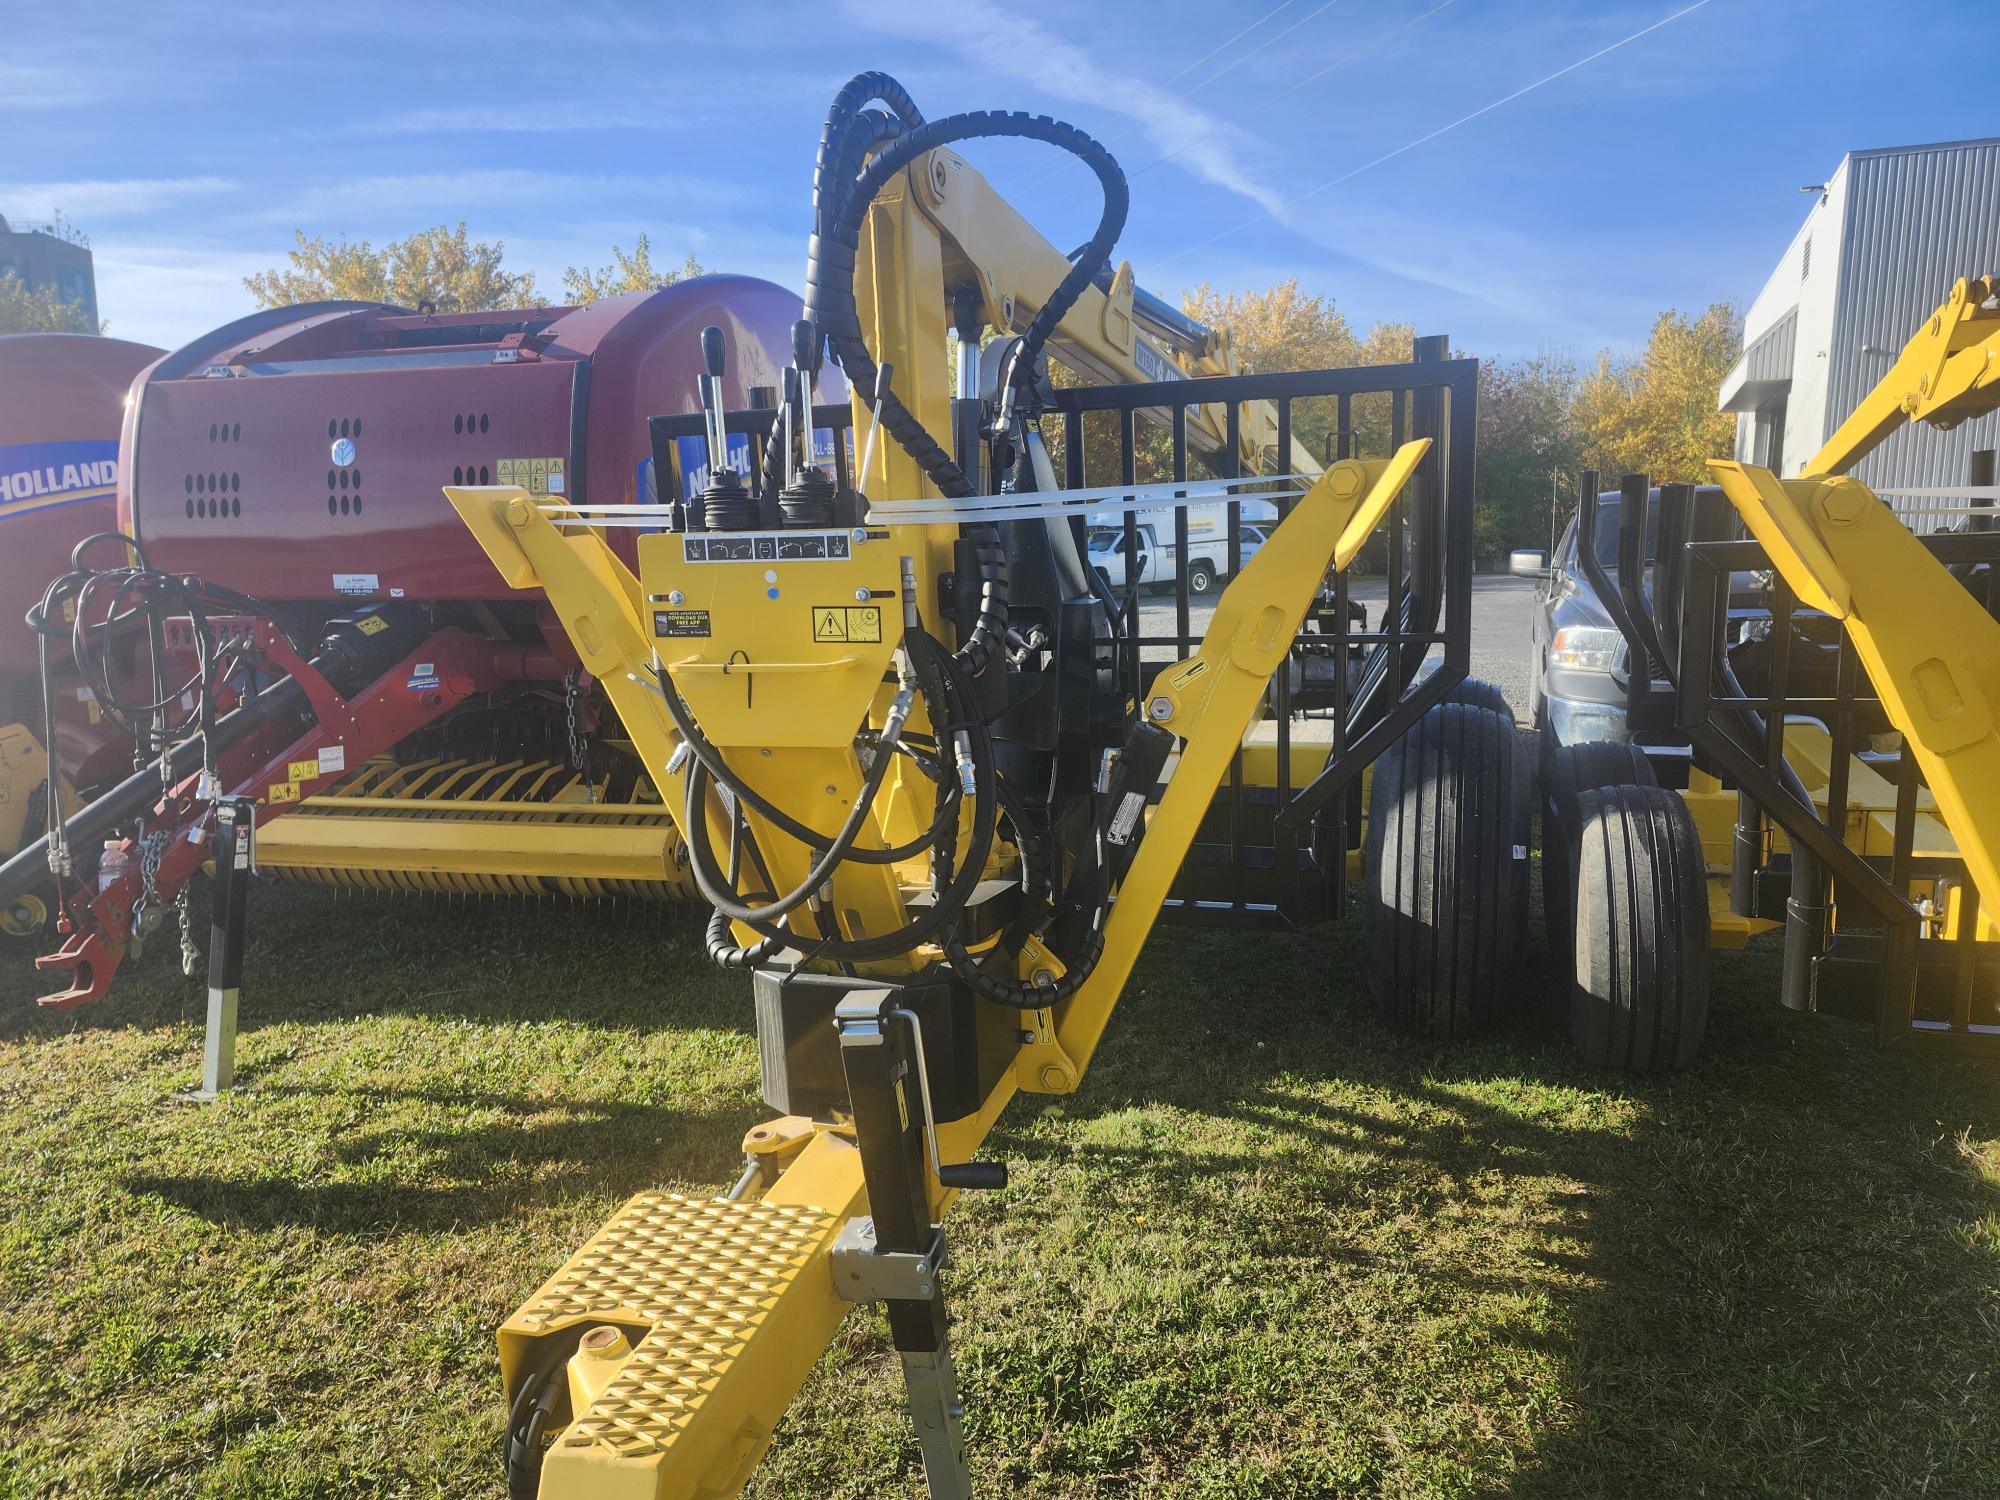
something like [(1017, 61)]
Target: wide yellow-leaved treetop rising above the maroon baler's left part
[(441, 269)]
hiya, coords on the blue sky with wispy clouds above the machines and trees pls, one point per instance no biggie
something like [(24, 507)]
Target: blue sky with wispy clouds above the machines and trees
[(191, 141)]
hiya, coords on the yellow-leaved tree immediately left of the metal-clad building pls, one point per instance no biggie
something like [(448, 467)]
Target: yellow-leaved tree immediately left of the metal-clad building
[(1657, 415)]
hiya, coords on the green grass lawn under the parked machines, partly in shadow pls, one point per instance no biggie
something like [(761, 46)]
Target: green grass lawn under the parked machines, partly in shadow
[(1269, 1249)]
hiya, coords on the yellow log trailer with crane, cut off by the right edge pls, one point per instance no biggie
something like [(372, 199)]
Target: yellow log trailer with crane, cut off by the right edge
[(1837, 677)]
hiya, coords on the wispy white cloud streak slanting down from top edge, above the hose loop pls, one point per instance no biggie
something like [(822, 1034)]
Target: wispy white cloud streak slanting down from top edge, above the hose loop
[(1021, 49)]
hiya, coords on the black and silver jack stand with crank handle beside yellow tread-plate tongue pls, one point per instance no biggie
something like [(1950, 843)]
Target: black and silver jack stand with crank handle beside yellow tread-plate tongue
[(897, 1255)]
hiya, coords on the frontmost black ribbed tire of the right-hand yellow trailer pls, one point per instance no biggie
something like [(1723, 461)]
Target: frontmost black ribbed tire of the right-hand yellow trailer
[(1639, 999)]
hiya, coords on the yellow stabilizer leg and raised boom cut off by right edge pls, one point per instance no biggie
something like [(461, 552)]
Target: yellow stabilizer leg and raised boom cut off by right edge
[(1929, 647)]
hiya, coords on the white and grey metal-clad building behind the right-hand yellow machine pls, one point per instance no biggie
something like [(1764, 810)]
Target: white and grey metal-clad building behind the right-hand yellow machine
[(1877, 255)]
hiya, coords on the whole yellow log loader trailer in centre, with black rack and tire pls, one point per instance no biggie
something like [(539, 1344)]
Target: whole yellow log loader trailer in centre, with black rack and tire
[(939, 783)]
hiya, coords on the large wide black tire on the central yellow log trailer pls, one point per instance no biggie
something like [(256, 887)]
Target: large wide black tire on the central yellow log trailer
[(1443, 879)]
